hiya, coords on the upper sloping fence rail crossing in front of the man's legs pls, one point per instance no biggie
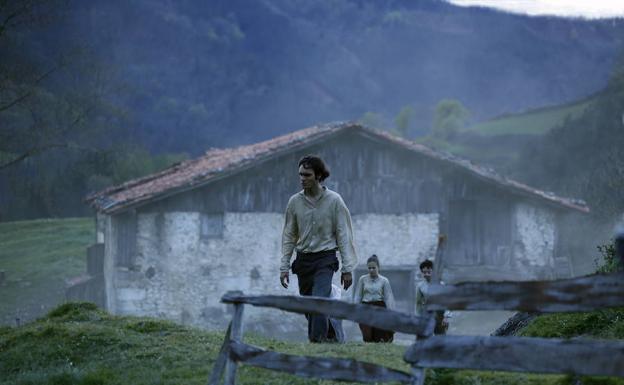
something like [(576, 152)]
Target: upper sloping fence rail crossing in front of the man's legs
[(371, 315)]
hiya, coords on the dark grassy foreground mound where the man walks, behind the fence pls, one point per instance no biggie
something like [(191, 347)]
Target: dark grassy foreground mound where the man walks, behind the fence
[(79, 344)]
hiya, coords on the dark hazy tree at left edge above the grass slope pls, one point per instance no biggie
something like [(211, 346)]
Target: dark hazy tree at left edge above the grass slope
[(57, 118)]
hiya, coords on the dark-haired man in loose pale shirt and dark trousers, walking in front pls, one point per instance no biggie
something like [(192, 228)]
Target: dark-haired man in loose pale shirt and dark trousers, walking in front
[(317, 224)]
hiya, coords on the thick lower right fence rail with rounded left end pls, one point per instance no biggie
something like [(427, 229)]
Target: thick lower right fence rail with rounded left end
[(518, 354)]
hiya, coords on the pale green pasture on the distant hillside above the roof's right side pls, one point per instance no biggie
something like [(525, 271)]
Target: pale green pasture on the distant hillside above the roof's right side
[(534, 122)]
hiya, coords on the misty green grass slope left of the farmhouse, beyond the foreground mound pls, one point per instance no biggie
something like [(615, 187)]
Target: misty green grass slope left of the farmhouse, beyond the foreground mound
[(37, 257)]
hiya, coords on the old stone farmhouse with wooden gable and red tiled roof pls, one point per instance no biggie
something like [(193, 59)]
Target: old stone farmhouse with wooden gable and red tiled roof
[(170, 244)]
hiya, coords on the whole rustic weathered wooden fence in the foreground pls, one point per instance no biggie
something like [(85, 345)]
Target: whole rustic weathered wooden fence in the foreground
[(516, 354)]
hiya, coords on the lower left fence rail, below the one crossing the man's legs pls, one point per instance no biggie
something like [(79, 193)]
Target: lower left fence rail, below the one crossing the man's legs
[(336, 369)]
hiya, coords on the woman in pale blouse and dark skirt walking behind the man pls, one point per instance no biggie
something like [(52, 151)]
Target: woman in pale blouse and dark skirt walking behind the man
[(374, 289)]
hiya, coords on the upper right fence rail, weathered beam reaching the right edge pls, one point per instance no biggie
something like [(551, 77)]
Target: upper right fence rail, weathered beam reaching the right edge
[(568, 295)]
